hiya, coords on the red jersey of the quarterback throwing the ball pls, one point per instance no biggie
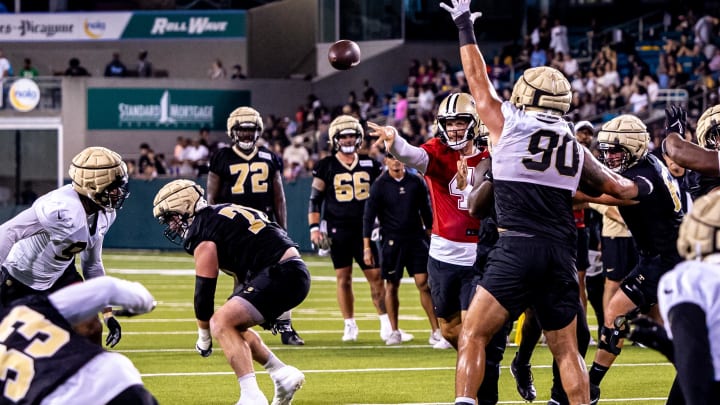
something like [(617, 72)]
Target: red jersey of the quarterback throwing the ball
[(451, 219)]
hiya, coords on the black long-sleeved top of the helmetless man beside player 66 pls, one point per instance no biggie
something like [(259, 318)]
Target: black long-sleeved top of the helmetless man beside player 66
[(402, 207)]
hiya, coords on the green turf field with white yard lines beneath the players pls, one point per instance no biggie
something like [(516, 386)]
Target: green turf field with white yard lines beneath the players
[(161, 344)]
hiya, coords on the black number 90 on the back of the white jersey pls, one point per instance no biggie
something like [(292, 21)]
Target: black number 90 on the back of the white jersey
[(545, 144)]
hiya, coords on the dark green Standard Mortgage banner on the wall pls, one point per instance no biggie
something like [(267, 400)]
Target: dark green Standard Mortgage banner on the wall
[(161, 109)]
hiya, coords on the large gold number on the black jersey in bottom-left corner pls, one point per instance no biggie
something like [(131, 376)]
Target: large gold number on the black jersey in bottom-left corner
[(45, 339)]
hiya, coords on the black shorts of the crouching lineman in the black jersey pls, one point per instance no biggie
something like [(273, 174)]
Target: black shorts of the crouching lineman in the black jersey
[(276, 289)]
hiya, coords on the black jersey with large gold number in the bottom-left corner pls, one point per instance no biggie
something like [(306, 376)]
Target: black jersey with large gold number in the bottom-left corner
[(40, 351)]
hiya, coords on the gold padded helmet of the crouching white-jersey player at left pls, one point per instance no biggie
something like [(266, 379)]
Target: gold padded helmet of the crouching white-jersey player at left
[(101, 175)]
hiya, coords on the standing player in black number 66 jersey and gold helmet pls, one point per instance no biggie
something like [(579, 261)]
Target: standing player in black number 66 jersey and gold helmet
[(341, 185)]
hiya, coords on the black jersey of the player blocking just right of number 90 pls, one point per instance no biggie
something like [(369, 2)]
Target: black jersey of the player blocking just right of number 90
[(655, 221)]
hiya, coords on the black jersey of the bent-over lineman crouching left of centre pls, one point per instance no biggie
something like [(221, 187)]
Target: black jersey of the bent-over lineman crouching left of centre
[(247, 241)]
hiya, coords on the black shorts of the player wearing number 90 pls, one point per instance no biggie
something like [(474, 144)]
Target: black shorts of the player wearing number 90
[(527, 272)]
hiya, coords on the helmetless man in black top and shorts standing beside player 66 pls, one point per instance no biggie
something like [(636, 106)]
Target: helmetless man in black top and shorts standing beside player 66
[(399, 201)]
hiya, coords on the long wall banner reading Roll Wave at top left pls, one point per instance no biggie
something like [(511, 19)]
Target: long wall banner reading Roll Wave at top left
[(122, 25)]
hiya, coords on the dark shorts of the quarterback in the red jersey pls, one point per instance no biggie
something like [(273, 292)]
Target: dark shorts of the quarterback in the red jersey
[(451, 287)]
